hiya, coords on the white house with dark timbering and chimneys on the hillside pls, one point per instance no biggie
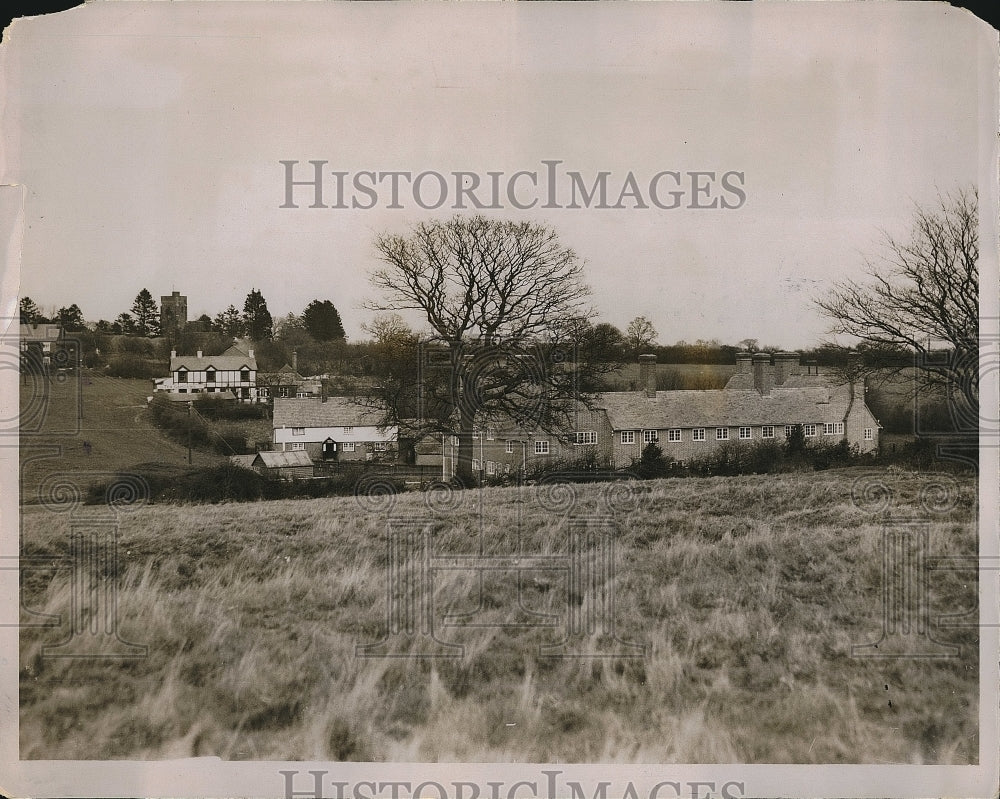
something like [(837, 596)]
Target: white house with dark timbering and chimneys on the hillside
[(234, 372)]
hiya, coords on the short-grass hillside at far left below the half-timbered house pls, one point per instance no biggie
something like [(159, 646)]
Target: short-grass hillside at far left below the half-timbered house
[(114, 423)]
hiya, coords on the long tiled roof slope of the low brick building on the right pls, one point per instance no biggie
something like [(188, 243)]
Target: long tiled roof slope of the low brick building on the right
[(633, 410)]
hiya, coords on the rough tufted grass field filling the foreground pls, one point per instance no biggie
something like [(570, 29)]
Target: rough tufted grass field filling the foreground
[(748, 593)]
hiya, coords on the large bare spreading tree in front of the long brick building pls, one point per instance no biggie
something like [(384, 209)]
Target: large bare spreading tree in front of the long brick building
[(500, 297)]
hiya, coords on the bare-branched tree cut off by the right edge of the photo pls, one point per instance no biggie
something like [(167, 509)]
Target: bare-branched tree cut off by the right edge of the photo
[(921, 297)]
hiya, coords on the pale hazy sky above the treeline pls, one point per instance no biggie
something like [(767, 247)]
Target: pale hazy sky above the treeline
[(145, 143)]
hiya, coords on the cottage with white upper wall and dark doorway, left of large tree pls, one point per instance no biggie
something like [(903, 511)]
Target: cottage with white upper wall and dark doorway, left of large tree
[(337, 429)]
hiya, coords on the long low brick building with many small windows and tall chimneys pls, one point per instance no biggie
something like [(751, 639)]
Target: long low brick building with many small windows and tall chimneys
[(762, 401)]
